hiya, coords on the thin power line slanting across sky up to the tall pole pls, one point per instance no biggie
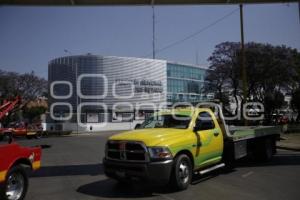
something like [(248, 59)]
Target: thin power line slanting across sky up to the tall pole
[(194, 34)]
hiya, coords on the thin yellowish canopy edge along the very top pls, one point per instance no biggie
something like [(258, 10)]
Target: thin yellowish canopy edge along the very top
[(135, 2)]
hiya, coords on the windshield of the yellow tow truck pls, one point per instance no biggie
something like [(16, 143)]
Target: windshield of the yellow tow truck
[(167, 121)]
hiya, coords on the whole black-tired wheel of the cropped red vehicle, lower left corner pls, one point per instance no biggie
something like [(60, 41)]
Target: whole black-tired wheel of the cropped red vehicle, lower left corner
[(15, 185)]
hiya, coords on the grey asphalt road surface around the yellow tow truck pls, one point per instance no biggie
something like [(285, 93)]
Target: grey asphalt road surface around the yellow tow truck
[(72, 170)]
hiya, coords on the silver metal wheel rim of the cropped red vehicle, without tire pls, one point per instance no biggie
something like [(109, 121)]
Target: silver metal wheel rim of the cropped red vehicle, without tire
[(15, 186)]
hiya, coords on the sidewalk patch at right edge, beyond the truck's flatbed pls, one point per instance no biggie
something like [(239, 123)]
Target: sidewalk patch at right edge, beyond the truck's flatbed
[(289, 142)]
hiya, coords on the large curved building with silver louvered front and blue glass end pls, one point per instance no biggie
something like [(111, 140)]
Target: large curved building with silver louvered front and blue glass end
[(95, 89)]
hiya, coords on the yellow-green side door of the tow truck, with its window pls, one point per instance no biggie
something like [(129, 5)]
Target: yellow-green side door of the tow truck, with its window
[(210, 140)]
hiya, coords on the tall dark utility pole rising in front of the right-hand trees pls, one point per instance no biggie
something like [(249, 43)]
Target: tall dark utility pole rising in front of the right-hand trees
[(243, 66)]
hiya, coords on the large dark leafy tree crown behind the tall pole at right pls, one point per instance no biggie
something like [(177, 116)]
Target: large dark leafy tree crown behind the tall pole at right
[(270, 71)]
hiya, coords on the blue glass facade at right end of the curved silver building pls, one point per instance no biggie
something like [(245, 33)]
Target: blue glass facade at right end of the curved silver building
[(185, 83)]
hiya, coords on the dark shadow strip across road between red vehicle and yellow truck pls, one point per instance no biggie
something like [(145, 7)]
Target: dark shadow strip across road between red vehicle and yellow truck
[(69, 170)]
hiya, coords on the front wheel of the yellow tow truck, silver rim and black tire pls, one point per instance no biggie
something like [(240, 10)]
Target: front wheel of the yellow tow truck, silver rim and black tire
[(182, 172)]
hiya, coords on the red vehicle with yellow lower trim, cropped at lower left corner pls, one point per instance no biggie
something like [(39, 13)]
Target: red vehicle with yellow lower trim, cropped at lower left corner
[(13, 161)]
